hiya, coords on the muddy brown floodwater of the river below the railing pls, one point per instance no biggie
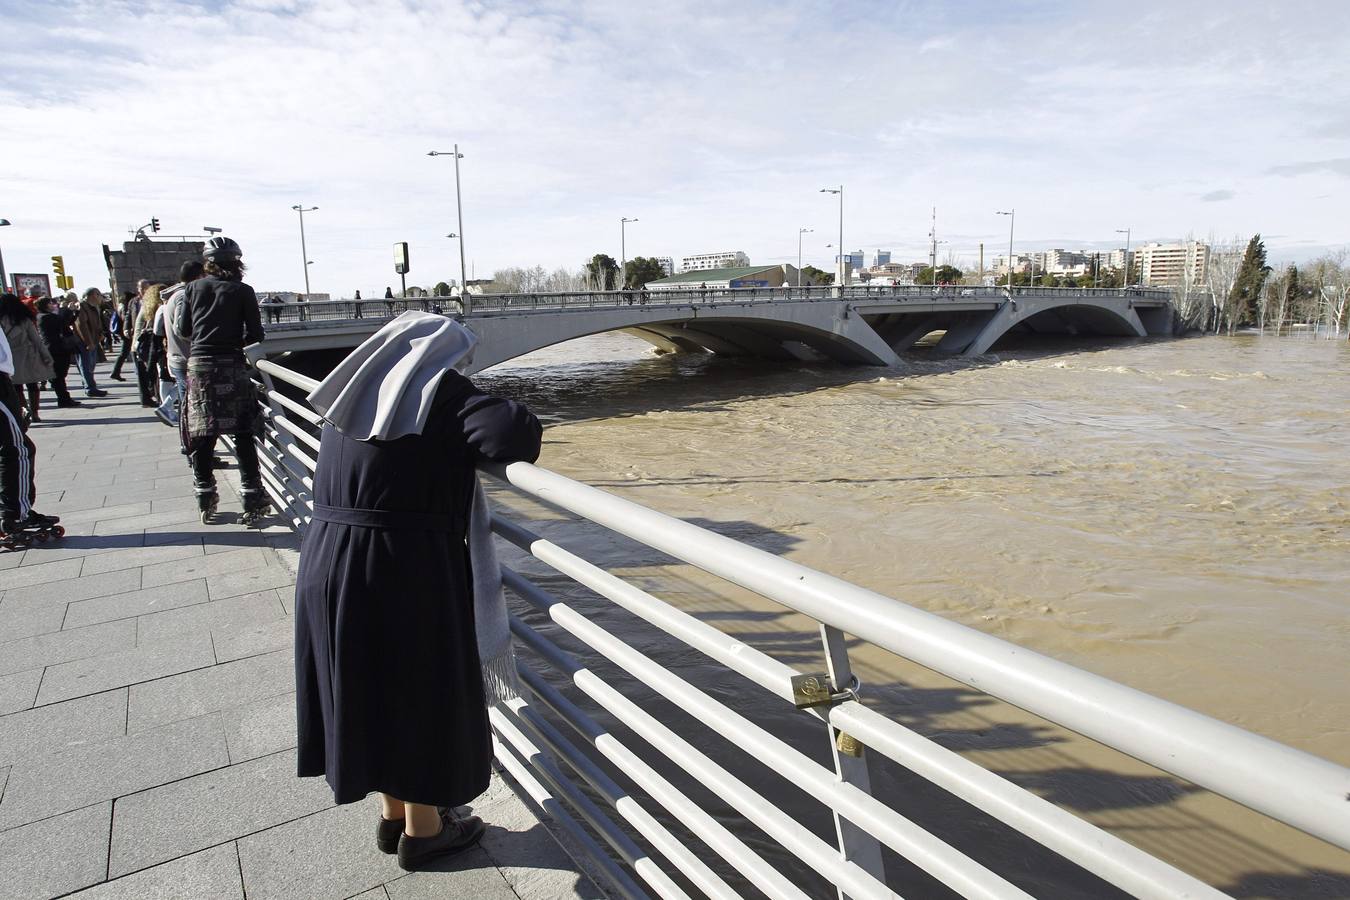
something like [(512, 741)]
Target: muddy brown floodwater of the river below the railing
[(1170, 515)]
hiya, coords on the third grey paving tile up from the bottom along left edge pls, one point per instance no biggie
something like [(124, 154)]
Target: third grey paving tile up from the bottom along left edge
[(80, 723)]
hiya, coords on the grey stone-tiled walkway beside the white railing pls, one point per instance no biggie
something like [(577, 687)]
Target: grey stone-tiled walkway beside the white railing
[(146, 704)]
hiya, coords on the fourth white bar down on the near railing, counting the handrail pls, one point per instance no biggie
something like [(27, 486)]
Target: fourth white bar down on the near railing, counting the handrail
[(773, 821)]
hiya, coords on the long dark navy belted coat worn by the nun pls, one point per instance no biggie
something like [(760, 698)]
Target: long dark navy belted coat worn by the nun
[(389, 686)]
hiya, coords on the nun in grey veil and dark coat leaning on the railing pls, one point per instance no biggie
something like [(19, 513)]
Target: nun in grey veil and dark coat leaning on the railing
[(400, 616)]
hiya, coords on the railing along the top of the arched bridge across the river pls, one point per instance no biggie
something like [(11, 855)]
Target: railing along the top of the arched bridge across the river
[(331, 311)]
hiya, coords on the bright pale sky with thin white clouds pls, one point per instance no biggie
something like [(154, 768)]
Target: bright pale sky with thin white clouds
[(712, 123)]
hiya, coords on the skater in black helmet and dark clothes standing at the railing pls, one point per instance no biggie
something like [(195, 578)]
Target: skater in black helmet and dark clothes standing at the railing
[(218, 316)]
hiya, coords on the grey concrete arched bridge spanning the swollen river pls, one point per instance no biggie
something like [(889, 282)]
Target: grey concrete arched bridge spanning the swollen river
[(858, 326)]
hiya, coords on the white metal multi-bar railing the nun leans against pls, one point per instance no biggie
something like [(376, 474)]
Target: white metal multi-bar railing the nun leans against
[(655, 837)]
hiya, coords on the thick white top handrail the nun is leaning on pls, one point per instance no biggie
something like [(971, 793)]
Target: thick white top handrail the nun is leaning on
[(1291, 786)]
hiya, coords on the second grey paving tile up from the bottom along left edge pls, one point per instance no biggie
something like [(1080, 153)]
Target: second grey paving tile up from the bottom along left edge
[(78, 777)]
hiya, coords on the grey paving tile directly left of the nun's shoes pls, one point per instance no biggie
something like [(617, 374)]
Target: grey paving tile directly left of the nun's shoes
[(327, 855)]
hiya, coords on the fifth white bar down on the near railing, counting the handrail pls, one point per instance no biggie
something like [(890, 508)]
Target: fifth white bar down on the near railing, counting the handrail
[(695, 818)]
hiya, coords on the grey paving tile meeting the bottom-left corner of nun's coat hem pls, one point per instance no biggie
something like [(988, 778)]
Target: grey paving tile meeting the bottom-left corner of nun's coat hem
[(167, 822)]
